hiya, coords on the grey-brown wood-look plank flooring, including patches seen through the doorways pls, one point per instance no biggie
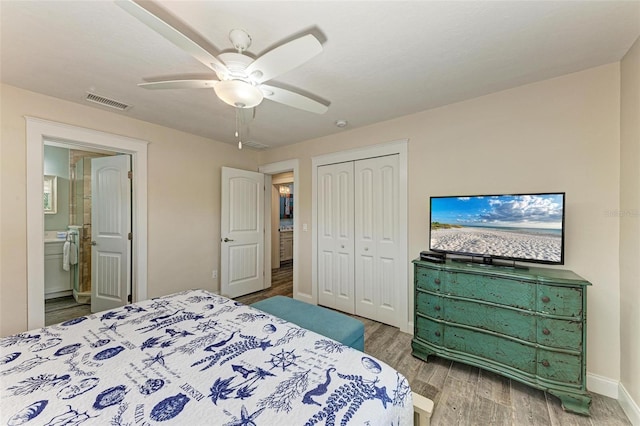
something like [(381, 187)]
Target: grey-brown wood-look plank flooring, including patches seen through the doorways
[(463, 395)]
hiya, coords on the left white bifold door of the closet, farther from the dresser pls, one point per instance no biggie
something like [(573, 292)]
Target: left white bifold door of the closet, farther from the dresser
[(336, 236)]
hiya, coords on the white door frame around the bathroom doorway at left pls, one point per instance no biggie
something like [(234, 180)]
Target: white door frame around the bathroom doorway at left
[(37, 131)]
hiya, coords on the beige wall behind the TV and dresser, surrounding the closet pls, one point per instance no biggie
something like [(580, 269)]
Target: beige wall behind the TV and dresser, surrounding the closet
[(557, 135)]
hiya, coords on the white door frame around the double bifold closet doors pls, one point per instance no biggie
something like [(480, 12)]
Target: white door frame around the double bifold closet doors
[(399, 147)]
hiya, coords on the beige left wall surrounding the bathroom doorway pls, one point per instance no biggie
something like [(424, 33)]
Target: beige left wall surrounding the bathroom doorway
[(183, 198)]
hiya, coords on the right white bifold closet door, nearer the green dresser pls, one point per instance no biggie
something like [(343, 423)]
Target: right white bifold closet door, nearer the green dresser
[(377, 267)]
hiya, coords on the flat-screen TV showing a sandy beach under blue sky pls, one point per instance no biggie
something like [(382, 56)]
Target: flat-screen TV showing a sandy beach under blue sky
[(527, 227)]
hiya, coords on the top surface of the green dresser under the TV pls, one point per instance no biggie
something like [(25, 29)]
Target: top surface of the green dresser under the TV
[(534, 273)]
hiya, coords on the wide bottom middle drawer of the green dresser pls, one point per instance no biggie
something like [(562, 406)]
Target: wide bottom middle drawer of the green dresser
[(508, 352)]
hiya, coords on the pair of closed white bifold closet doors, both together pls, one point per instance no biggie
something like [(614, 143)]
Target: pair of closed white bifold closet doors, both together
[(358, 270)]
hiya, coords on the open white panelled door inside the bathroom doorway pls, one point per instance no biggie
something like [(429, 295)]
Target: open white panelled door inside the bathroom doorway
[(110, 228)]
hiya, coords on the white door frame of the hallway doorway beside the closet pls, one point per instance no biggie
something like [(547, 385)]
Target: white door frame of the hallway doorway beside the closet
[(269, 170)]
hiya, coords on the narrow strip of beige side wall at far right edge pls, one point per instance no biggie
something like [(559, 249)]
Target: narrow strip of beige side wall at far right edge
[(630, 222)]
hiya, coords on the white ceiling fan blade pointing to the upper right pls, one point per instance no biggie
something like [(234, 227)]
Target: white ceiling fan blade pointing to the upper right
[(284, 58)]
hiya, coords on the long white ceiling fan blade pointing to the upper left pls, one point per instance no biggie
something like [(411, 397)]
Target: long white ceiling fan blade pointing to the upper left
[(143, 11)]
